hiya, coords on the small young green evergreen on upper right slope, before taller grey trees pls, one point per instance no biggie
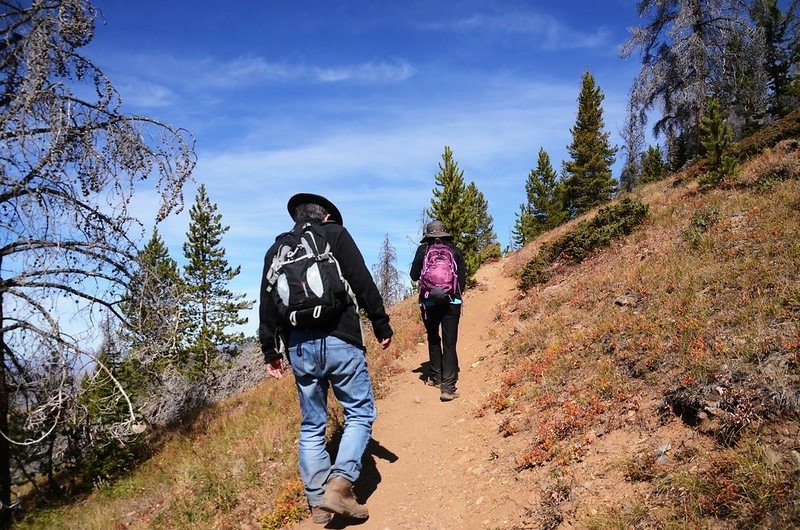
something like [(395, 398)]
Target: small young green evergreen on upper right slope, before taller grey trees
[(717, 141)]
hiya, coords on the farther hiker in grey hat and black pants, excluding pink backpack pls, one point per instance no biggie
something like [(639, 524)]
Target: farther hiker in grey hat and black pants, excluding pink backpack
[(445, 316)]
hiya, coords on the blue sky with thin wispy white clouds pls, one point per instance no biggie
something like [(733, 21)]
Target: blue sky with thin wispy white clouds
[(356, 100)]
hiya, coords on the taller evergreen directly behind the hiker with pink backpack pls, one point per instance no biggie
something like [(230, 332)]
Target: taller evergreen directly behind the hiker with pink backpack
[(454, 204)]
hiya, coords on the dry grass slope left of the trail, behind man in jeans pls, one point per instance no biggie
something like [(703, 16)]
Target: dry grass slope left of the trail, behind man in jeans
[(235, 466)]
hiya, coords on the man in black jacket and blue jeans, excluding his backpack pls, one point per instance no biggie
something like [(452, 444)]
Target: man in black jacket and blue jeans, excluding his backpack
[(331, 354)]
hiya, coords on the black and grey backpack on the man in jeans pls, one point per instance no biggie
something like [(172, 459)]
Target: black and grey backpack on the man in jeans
[(305, 279)]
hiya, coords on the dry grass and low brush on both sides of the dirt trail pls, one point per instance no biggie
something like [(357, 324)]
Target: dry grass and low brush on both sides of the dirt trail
[(688, 323)]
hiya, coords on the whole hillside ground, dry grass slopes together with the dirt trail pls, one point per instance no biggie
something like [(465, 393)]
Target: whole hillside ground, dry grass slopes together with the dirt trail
[(655, 384)]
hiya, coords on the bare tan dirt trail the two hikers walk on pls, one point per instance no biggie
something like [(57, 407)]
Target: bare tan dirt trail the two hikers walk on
[(431, 463)]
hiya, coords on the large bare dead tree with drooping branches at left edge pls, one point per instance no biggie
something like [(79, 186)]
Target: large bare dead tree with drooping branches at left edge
[(69, 163)]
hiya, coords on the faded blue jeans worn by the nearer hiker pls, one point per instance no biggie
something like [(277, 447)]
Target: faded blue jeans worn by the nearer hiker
[(320, 361)]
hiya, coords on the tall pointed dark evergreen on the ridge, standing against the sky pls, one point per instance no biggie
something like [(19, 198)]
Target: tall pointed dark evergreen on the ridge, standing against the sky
[(588, 174)]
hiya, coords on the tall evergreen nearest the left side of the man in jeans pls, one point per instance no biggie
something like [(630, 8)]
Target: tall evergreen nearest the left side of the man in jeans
[(212, 308)]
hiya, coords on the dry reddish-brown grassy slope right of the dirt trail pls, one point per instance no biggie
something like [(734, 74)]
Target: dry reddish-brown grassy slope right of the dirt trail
[(696, 311)]
